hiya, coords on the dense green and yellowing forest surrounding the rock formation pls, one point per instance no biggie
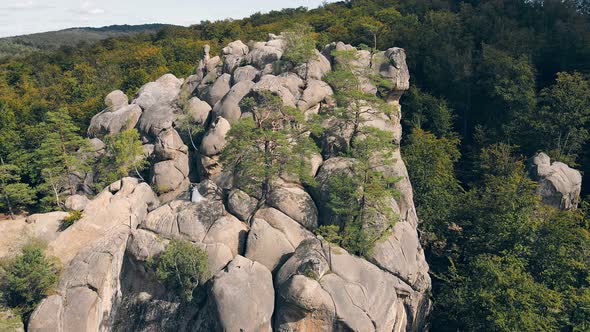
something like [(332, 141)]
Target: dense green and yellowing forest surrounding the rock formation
[(493, 82)]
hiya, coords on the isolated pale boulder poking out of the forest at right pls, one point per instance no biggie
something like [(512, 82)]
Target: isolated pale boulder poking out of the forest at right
[(559, 185)]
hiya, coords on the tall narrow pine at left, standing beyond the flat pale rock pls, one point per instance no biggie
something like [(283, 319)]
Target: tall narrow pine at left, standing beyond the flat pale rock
[(62, 154)]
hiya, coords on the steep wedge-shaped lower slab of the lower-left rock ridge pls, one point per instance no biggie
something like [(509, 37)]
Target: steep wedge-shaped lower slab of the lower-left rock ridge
[(88, 290)]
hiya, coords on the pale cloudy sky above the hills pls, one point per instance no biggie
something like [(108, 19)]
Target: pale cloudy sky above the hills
[(18, 17)]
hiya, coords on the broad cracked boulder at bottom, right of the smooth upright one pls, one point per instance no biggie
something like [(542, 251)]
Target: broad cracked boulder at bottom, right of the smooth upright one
[(325, 288)]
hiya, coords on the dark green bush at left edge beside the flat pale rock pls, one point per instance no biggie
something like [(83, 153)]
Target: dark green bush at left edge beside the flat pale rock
[(27, 279)]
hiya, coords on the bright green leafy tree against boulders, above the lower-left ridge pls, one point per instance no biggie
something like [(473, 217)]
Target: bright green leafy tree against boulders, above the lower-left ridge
[(124, 155)]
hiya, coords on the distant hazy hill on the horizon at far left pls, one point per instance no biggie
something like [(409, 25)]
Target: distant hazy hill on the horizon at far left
[(47, 41)]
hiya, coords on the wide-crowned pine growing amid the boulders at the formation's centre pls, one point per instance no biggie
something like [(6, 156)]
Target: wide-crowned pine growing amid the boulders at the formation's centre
[(274, 141)]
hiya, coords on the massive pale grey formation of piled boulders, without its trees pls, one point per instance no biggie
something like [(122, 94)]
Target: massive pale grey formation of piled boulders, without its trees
[(268, 269)]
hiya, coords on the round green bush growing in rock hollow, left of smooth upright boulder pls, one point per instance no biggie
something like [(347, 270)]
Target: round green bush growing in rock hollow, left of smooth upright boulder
[(183, 267)]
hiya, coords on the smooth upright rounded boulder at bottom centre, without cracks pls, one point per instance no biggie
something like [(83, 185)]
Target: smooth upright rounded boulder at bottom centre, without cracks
[(243, 297)]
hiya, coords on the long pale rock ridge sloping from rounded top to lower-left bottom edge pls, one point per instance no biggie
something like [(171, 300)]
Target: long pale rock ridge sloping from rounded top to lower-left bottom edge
[(92, 251)]
